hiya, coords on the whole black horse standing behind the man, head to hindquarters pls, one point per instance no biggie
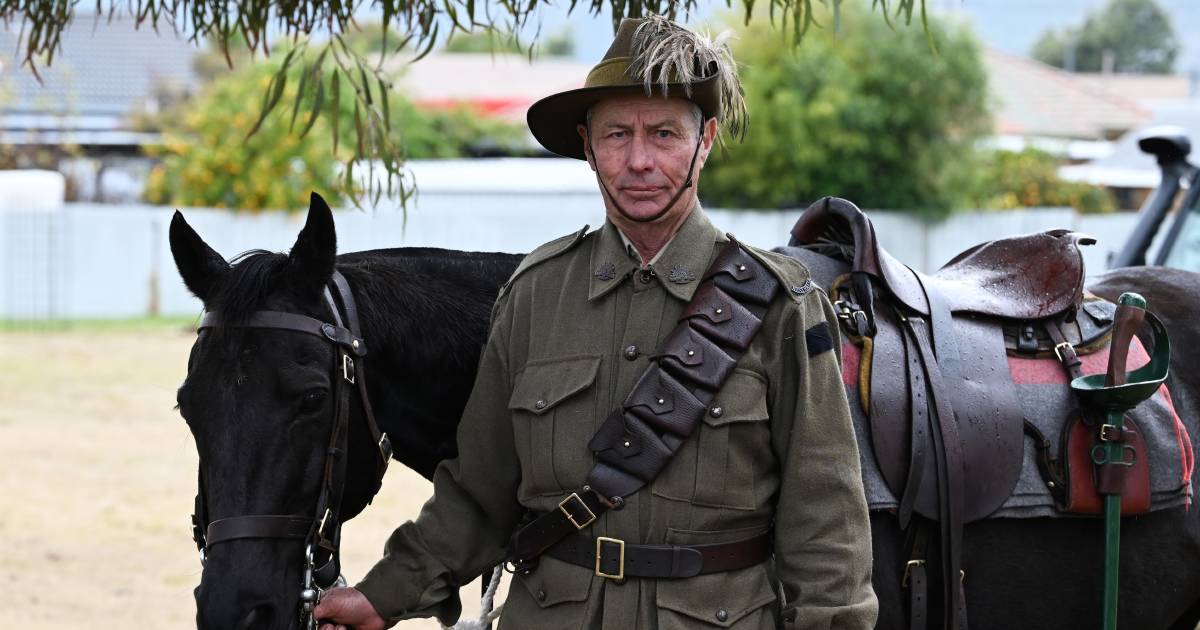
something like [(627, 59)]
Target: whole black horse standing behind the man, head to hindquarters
[(257, 397)]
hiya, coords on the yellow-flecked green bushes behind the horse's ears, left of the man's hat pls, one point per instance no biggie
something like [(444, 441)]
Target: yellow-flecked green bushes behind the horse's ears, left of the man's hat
[(209, 157)]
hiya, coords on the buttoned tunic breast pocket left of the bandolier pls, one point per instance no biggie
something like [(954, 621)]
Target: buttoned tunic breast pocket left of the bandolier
[(554, 417)]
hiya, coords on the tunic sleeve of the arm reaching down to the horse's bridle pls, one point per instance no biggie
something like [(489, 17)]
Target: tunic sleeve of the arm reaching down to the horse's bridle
[(463, 531)]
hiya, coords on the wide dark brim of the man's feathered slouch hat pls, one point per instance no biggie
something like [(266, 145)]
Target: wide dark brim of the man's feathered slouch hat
[(554, 119)]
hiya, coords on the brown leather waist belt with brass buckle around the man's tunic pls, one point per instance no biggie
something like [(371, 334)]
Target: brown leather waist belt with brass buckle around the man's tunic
[(617, 560)]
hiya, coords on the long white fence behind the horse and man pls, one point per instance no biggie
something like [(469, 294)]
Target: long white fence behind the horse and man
[(115, 262)]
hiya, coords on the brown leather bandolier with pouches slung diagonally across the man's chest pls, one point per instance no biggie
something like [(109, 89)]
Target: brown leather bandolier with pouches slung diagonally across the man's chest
[(637, 441)]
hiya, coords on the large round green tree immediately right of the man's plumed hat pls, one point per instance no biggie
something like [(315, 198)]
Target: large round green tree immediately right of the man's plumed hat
[(849, 113)]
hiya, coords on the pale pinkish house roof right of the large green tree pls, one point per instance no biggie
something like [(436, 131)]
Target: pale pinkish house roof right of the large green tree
[(1039, 100)]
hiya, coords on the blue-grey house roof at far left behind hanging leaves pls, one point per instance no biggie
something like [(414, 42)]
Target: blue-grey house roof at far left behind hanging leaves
[(104, 70)]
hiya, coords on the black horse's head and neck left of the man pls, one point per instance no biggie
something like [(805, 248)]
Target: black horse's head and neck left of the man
[(259, 401)]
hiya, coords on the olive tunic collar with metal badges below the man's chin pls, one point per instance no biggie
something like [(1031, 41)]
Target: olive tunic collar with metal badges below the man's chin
[(679, 267)]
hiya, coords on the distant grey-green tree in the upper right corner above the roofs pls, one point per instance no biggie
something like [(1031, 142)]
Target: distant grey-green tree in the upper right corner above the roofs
[(1137, 35)]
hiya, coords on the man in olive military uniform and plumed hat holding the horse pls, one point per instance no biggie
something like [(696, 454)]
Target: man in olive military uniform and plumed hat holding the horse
[(772, 470)]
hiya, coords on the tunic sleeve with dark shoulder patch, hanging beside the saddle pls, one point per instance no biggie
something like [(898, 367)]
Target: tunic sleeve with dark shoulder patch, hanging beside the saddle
[(823, 532)]
